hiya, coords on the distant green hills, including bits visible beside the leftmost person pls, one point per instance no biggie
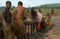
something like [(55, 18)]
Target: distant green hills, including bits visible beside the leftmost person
[(55, 5)]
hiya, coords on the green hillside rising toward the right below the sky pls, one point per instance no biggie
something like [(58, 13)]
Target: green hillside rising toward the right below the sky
[(55, 5)]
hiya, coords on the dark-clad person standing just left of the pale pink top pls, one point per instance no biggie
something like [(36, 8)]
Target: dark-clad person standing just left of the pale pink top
[(33, 14)]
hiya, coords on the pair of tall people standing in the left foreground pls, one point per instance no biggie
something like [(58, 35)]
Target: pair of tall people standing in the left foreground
[(13, 22)]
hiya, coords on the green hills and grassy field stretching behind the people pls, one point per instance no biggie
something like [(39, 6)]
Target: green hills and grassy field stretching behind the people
[(44, 8)]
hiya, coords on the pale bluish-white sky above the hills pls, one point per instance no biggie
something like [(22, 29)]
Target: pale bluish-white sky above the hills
[(29, 3)]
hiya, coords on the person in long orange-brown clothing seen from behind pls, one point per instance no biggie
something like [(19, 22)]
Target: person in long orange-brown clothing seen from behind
[(19, 15)]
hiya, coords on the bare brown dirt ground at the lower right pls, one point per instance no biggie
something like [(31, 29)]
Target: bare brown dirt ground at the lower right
[(54, 33)]
